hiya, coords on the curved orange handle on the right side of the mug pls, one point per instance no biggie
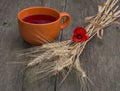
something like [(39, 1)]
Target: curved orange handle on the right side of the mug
[(67, 21)]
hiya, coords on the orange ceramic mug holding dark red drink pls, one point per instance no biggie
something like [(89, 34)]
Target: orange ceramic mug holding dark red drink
[(37, 34)]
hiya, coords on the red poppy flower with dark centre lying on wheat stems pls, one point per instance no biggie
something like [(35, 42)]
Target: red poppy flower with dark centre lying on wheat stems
[(80, 35)]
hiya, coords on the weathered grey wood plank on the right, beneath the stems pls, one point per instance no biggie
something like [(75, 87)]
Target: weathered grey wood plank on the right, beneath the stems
[(101, 58)]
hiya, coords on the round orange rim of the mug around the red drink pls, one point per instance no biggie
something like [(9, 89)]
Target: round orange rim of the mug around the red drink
[(37, 7)]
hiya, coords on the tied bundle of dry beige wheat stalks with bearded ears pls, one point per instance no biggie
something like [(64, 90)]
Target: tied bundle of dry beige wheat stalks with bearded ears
[(61, 55)]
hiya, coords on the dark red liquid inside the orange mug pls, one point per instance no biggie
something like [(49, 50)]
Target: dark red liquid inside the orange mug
[(39, 19)]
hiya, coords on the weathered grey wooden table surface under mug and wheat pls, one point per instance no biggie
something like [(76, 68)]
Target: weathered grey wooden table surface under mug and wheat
[(100, 59)]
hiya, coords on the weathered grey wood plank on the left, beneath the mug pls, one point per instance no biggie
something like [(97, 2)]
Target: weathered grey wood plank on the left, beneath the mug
[(10, 42)]
